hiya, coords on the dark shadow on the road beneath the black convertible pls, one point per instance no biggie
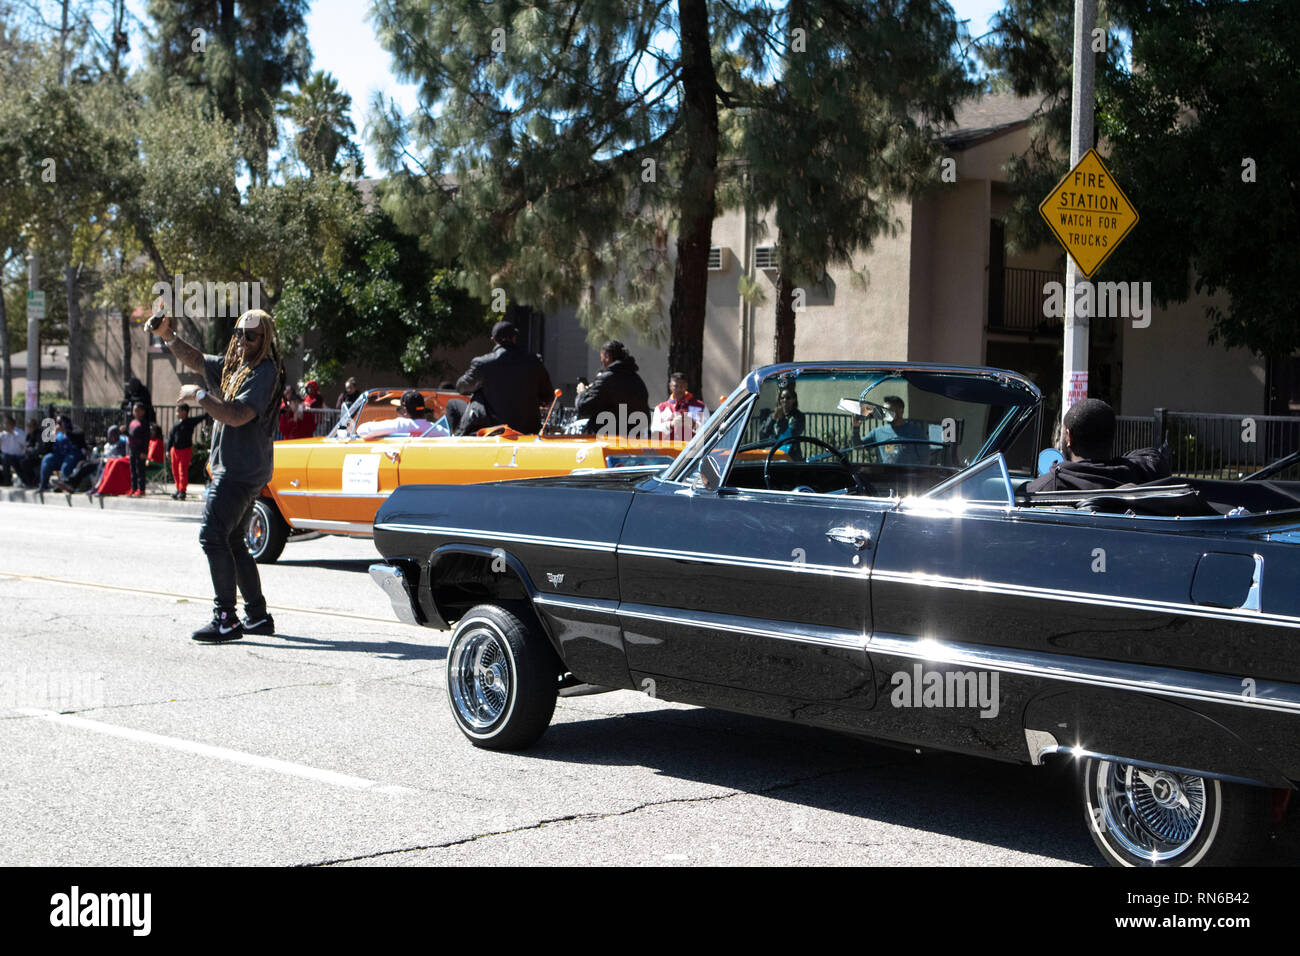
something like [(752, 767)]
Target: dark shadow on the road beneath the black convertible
[(1020, 808)]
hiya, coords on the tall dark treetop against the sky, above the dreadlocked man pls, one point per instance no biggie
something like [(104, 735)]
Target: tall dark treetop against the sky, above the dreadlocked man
[(242, 54)]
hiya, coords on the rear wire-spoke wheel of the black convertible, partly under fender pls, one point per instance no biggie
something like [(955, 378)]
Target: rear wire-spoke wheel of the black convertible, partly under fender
[(1145, 817)]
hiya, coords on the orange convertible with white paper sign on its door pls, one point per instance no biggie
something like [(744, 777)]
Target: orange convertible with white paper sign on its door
[(335, 485)]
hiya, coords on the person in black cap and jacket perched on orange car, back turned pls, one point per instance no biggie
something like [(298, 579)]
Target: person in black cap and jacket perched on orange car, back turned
[(506, 387)]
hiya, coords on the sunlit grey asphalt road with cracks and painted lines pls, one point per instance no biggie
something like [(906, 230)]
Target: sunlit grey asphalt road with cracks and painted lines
[(331, 743)]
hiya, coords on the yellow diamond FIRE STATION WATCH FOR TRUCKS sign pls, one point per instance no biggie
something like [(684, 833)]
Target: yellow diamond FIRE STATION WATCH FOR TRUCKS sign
[(1090, 214)]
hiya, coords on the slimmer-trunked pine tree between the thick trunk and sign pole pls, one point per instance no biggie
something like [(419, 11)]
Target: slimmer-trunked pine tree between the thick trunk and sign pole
[(850, 123)]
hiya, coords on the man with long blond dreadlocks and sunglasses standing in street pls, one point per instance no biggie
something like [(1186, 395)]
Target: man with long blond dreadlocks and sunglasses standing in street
[(242, 395)]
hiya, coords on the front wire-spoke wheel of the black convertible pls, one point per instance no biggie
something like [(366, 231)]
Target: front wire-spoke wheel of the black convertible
[(502, 677)]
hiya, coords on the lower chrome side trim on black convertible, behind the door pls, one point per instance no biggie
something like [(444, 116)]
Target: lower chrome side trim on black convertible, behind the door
[(1167, 682)]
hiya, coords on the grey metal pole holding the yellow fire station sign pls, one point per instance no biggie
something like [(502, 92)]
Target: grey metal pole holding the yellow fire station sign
[(1074, 379)]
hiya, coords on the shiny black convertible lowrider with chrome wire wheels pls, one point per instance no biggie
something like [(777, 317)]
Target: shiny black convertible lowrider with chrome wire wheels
[(850, 546)]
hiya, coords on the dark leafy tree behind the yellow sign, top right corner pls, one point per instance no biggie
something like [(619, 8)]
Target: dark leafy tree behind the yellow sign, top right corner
[(1211, 85)]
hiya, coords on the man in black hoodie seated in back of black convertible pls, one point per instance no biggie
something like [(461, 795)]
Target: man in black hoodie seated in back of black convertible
[(1089, 438)]
